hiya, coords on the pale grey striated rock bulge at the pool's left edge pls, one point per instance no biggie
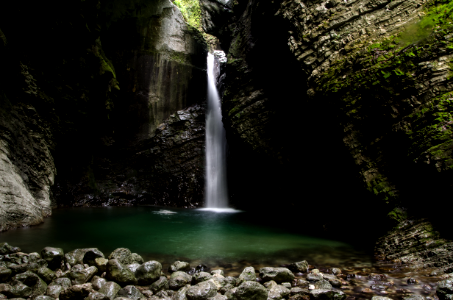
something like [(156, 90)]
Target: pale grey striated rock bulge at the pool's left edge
[(26, 167)]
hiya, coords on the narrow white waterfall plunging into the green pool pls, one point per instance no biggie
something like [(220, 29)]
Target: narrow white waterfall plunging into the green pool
[(216, 193)]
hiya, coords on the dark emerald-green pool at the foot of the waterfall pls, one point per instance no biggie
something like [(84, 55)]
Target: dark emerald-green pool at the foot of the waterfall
[(167, 234)]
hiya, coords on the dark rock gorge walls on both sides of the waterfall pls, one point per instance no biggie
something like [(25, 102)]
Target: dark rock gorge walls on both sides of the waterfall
[(338, 109)]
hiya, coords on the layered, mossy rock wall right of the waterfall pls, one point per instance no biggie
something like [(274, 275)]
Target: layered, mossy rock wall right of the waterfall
[(353, 96)]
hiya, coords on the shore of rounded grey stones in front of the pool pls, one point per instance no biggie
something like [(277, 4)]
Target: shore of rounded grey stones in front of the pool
[(88, 274)]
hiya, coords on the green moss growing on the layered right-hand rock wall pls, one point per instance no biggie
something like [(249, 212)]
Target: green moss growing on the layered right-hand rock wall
[(374, 87)]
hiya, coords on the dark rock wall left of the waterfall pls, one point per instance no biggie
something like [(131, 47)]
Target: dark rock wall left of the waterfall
[(113, 92)]
